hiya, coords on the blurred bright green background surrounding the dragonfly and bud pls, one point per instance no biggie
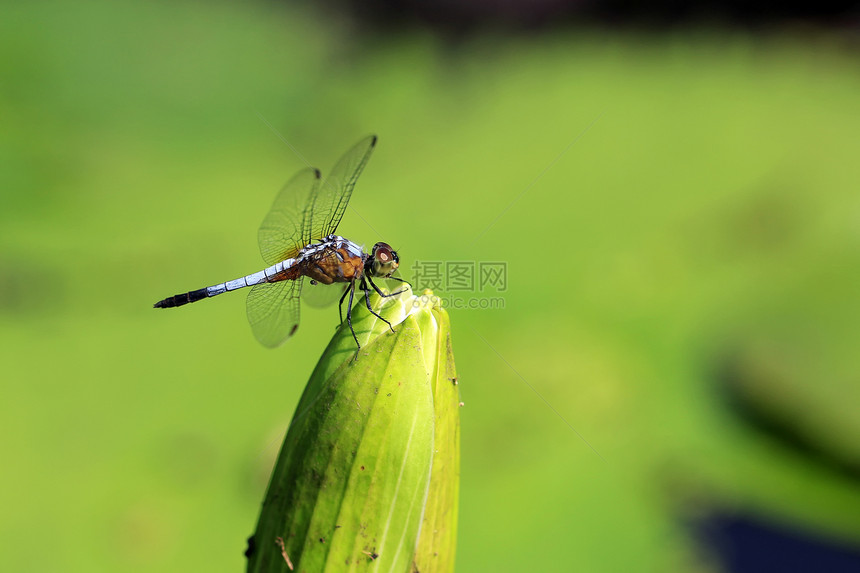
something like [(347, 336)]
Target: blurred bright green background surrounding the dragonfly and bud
[(682, 280)]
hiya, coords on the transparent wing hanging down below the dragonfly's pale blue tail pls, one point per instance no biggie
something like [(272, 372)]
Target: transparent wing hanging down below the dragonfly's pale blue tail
[(273, 311)]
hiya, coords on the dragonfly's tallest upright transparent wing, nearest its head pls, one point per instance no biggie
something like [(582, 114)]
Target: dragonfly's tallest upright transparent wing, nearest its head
[(336, 188)]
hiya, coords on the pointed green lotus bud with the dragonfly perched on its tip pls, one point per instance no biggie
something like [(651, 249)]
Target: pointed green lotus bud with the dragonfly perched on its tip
[(349, 490)]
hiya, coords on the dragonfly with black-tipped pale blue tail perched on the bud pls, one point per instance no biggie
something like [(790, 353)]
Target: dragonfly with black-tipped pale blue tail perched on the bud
[(298, 240)]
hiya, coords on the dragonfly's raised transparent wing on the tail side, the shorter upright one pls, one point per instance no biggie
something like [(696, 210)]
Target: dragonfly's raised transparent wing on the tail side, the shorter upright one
[(286, 228)]
